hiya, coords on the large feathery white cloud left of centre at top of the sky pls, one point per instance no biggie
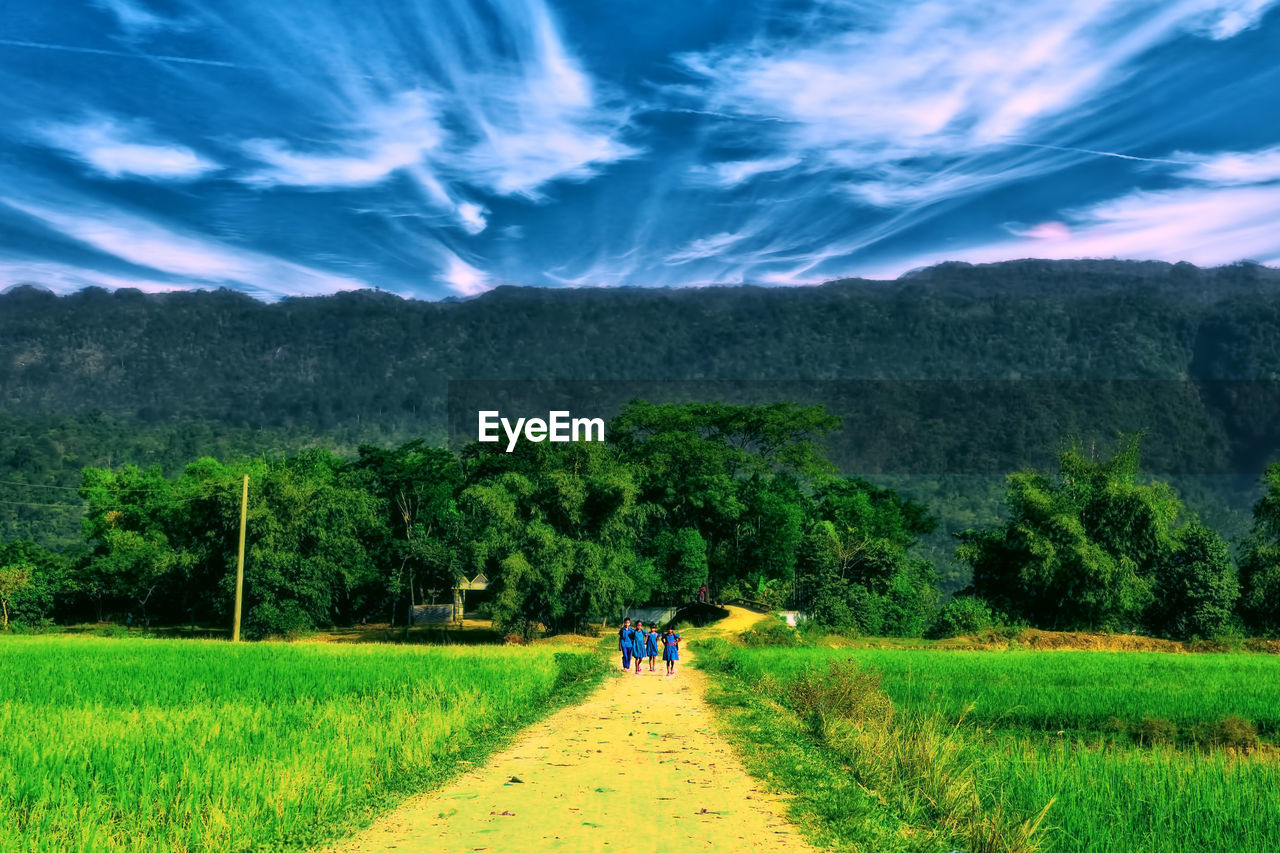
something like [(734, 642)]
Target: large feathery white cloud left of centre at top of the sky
[(505, 116)]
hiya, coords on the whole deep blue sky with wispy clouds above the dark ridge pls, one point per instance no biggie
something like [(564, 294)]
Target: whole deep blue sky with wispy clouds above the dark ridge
[(442, 148)]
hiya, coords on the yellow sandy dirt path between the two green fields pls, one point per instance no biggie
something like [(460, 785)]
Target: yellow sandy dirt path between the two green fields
[(638, 767)]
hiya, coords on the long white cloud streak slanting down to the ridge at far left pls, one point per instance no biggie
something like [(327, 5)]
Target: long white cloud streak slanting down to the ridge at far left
[(152, 245)]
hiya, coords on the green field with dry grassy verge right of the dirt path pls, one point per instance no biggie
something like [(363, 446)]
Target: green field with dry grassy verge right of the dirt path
[(1062, 752)]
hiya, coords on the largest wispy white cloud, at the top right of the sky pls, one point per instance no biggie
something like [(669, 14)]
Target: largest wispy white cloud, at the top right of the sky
[(894, 94)]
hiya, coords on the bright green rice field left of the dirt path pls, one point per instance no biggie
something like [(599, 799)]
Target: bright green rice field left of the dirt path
[(203, 746)]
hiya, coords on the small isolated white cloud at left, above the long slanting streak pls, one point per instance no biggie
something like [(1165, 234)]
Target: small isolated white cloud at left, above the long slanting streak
[(120, 150)]
